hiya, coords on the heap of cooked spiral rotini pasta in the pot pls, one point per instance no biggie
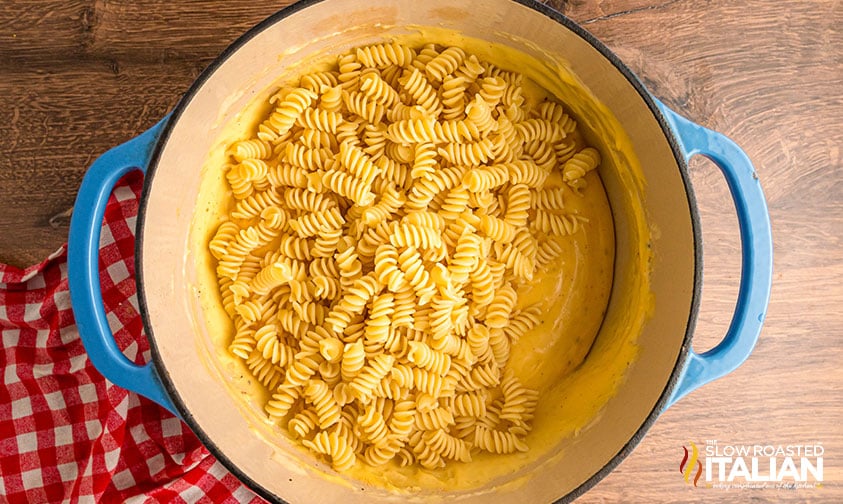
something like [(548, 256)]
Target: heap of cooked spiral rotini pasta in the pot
[(384, 215)]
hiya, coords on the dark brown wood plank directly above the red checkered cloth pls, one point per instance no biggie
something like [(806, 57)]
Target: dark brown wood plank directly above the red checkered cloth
[(58, 121)]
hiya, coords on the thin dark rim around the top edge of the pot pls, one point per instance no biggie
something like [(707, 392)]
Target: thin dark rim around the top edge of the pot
[(540, 8)]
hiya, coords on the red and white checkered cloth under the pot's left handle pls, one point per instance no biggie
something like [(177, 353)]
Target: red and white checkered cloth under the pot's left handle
[(66, 433)]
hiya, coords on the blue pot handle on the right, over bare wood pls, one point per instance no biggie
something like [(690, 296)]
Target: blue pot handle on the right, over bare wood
[(756, 254)]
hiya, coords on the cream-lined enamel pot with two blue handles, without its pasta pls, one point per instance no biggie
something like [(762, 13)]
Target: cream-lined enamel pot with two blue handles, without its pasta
[(660, 254)]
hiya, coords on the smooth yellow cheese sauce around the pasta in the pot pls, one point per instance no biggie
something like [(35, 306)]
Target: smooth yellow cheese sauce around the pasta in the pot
[(574, 375)]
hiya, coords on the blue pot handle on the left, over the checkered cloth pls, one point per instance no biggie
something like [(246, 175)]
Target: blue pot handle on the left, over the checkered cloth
[(83, 267)]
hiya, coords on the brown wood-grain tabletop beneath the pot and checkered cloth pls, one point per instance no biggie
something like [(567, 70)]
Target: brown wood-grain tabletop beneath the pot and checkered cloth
[(80, 76)]
